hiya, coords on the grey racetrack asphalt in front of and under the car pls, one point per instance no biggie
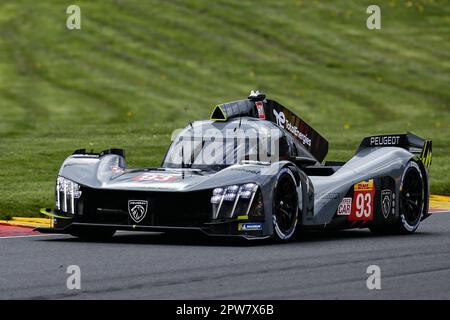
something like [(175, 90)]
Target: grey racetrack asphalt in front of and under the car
[(151, 266)]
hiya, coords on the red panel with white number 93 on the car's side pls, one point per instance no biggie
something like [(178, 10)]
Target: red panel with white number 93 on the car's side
[(362, 205)]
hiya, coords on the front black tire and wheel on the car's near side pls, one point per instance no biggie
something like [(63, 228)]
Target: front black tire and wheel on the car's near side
[(285, 206)]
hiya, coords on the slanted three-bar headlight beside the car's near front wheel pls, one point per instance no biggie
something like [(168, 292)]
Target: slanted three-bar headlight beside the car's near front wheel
[(233, 200)]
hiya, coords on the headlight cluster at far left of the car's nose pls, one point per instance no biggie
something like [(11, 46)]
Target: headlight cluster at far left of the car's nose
[(66, 193)]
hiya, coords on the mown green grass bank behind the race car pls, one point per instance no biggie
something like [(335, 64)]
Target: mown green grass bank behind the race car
[(139, 69)]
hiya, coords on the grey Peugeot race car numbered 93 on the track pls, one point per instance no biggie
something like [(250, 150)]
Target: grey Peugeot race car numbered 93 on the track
[(254, 170)]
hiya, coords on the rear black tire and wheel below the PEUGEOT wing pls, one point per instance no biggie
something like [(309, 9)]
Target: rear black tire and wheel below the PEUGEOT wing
[(411, 203)]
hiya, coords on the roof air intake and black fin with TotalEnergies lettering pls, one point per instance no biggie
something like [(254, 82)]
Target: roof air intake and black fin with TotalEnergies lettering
[(257, 106)]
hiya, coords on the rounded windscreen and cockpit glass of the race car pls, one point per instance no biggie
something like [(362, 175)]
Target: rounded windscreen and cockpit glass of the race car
[(216, 145)]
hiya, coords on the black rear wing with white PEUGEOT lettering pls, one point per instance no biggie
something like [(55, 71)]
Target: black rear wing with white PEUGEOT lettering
[(421, 148)]
